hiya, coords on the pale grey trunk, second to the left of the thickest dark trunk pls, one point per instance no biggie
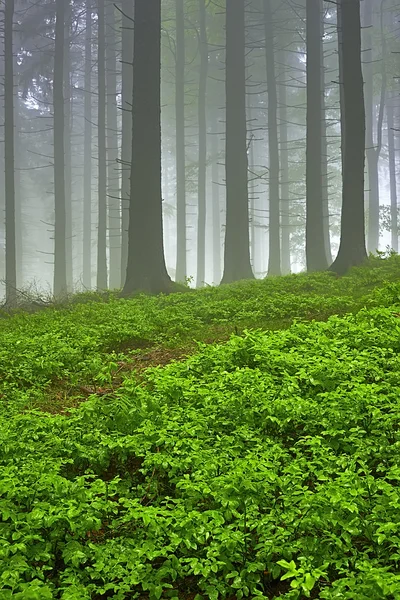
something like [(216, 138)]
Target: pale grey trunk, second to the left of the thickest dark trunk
[(114, 191)]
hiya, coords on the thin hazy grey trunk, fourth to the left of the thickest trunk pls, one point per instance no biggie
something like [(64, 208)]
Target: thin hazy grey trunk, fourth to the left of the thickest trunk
[(87, 183)]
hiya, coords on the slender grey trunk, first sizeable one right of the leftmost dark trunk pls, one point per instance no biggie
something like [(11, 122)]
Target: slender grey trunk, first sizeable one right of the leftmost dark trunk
[(60, 272)]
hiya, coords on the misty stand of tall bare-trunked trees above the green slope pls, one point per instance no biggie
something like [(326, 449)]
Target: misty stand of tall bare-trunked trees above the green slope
[(207, 144)]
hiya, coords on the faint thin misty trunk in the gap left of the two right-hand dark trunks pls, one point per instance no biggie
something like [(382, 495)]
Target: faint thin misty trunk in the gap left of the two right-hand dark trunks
[(284, 163)]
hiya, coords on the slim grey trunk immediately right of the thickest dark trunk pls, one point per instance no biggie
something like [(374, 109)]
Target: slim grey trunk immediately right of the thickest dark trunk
[(181, 258)]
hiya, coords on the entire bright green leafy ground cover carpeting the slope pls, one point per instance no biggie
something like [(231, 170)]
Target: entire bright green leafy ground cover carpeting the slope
[(264, 466)]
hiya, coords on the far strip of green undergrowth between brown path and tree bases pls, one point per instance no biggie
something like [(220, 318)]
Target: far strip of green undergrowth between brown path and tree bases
[(82, 342)]
